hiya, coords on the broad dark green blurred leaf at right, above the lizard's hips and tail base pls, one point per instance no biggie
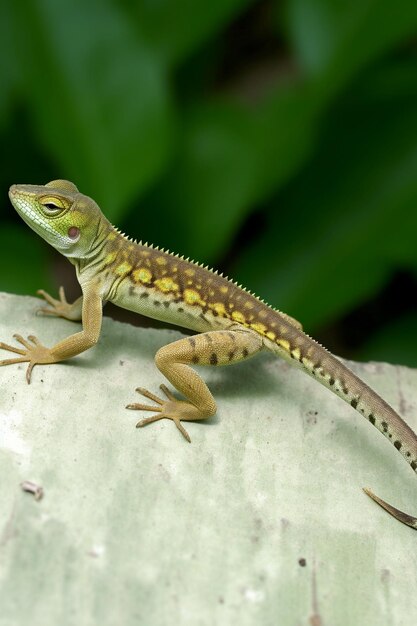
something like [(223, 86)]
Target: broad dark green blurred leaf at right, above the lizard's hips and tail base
[(355, 199)]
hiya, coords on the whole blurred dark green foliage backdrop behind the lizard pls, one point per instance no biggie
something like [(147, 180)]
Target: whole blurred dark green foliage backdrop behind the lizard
[(275, 139)]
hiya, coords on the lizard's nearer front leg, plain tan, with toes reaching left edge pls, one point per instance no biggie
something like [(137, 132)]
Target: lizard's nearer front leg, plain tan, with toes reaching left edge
[(33, 352)]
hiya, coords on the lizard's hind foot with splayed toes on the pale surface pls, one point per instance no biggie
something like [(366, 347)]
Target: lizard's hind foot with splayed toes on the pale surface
[(171, 409)]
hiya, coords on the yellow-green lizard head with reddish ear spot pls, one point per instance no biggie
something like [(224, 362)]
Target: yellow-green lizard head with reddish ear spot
[(60, 214)]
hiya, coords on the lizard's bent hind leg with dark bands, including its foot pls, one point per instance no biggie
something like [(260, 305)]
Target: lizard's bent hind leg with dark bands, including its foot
[(222, 347)]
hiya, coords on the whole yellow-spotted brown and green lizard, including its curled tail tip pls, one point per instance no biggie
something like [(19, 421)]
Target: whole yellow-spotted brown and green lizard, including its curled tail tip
[(231, 323)]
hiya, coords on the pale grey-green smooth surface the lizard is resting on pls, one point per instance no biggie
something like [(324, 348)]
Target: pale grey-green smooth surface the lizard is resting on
[(140, 527)]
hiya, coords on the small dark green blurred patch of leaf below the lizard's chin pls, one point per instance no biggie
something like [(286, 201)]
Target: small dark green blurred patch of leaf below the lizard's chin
[(23, 261)]
